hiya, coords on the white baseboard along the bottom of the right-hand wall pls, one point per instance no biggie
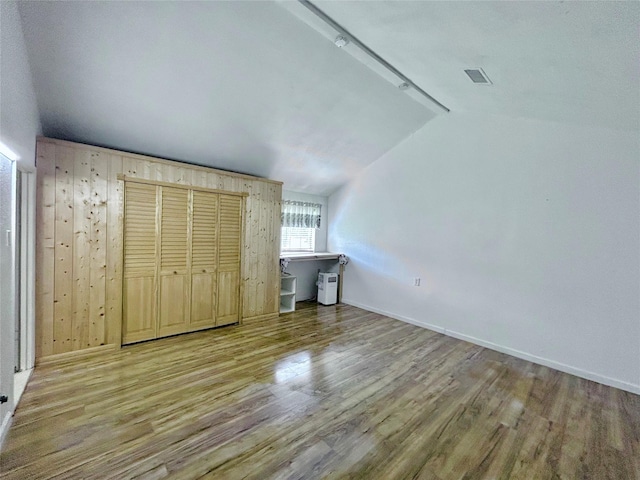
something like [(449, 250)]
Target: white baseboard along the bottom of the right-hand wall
[(612, 382)]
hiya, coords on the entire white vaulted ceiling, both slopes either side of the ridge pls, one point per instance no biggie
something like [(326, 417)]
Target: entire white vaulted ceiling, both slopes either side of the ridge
[(252, 87)]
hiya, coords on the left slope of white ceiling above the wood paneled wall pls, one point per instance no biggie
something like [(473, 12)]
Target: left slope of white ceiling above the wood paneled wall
[(243, 86)]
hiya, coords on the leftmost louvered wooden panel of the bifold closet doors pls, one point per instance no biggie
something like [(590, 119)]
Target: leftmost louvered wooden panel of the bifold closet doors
[(140, 283)]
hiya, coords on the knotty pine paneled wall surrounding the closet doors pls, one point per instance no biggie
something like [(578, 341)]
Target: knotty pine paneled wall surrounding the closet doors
[(79, 240)]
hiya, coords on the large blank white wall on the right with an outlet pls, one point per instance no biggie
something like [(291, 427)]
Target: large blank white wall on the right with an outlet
[(525, 234)]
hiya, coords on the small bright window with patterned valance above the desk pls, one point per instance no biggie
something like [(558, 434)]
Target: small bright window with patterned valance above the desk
[(299, 223)]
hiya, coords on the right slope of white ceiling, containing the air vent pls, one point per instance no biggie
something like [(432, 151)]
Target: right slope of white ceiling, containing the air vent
[(574, 62)]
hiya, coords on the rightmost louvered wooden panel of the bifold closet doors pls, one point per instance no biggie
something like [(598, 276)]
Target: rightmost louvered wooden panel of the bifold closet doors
[(229, 248)]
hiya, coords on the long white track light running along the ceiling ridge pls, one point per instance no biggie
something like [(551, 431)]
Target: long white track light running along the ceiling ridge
[(329, 27)]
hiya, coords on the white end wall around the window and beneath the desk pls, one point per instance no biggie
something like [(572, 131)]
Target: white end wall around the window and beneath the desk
[(307, 272)]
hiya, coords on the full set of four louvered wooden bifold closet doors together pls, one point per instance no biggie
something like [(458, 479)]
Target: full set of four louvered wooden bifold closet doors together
[(182, 252)]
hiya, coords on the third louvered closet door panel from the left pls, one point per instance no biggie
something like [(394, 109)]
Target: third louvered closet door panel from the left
[(204, 260)]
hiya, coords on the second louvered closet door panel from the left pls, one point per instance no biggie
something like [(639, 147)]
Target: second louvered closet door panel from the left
[(174, 266)]
